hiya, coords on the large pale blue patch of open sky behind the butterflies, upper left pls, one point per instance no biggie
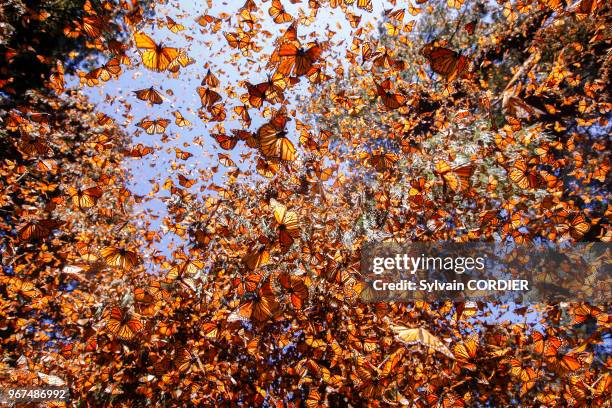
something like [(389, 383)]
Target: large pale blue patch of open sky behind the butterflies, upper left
[(208, 50)]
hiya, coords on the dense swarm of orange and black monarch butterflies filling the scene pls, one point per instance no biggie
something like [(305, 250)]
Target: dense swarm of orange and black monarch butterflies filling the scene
[(488, 131)]
